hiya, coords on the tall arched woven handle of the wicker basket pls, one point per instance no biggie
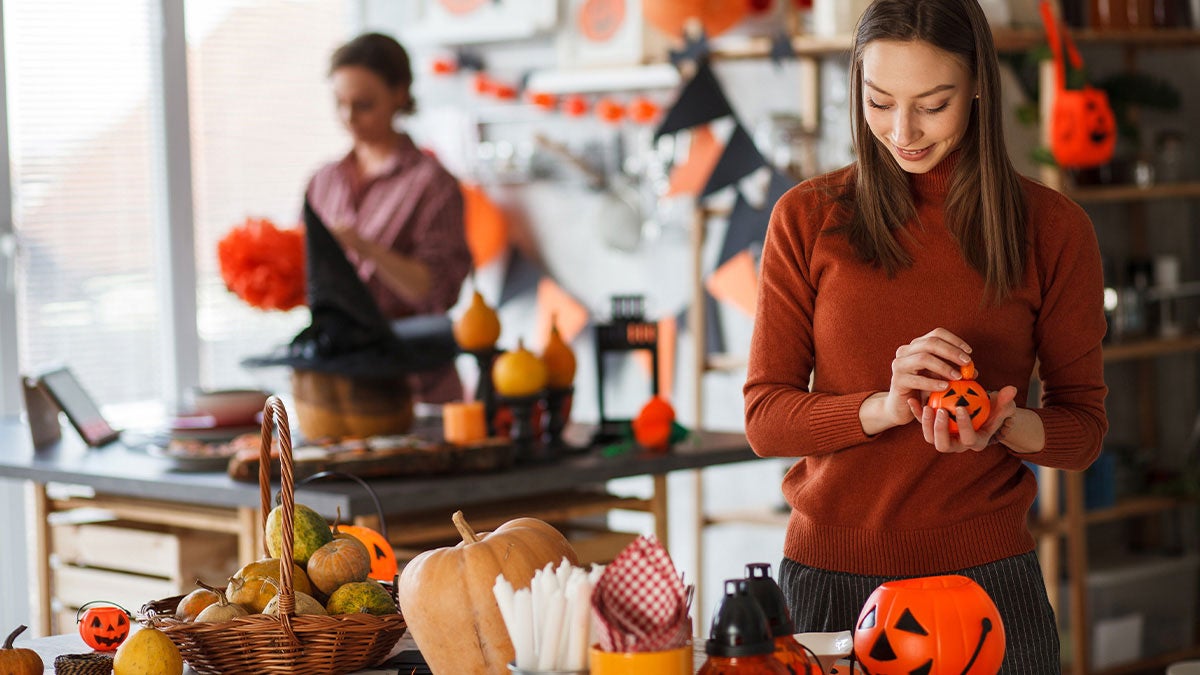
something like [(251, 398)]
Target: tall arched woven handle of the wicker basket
[(275, 421)]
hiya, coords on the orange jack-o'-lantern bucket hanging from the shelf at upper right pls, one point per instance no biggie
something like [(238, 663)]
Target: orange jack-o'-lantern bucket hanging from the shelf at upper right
[(1083, 132)]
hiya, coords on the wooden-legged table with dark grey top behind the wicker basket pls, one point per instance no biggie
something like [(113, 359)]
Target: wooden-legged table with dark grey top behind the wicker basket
[(139, 487)]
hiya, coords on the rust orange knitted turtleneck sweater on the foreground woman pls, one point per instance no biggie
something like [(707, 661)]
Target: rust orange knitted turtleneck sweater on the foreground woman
[(891, 505)]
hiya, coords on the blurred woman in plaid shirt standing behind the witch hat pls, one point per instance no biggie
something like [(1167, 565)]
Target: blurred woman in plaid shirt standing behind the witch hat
[(397, 212)]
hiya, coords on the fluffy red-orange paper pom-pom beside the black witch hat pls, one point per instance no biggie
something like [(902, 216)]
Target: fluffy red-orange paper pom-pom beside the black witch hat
[(263, 265)]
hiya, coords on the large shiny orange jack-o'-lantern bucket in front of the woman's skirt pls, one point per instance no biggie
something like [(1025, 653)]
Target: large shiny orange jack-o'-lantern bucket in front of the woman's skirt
[(934, 625)]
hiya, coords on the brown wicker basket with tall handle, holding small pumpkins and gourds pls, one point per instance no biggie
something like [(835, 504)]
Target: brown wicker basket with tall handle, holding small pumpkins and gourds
[(285, 644)]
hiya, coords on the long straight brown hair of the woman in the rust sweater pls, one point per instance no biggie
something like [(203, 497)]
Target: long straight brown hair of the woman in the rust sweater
[(986, 207)]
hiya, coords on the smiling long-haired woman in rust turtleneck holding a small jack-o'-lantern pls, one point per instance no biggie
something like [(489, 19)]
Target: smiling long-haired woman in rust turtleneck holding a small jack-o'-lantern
[(880, 282)]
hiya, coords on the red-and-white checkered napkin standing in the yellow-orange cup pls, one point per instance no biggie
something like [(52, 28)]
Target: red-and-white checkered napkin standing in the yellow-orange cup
[(640, 602)]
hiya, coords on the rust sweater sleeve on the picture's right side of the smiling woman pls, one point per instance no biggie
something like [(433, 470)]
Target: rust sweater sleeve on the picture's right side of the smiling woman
[(1069, 333)]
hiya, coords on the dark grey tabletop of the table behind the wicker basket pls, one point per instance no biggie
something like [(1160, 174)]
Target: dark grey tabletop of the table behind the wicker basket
[(119, 470)]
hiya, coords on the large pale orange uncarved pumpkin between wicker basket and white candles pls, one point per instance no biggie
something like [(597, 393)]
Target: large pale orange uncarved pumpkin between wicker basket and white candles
[(447, 594)]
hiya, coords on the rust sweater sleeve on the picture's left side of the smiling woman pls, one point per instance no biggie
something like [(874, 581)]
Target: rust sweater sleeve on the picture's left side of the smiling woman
[(783, 416)]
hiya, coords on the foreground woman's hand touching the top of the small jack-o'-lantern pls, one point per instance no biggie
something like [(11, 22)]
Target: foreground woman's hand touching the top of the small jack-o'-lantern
[(927, 365)]
